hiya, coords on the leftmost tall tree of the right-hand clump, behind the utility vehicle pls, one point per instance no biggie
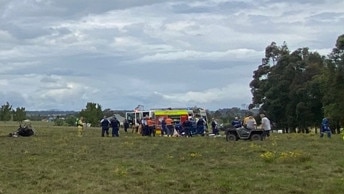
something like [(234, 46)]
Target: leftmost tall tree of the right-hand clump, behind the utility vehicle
[(270, 83)]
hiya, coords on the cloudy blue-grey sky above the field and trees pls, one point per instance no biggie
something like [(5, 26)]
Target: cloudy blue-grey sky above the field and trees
[(62, 54)]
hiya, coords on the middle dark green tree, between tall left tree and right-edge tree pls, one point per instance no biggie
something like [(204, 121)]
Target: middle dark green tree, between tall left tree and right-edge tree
[(305, 107)]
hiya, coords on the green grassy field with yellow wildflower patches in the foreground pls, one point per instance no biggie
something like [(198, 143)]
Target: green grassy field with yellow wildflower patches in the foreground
[(56, 160)]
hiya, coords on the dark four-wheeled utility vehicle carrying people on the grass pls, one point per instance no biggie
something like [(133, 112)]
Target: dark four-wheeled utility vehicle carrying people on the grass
[(234, 134)]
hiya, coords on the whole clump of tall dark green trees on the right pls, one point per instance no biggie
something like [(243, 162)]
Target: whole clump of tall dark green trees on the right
[(297, 89)]
